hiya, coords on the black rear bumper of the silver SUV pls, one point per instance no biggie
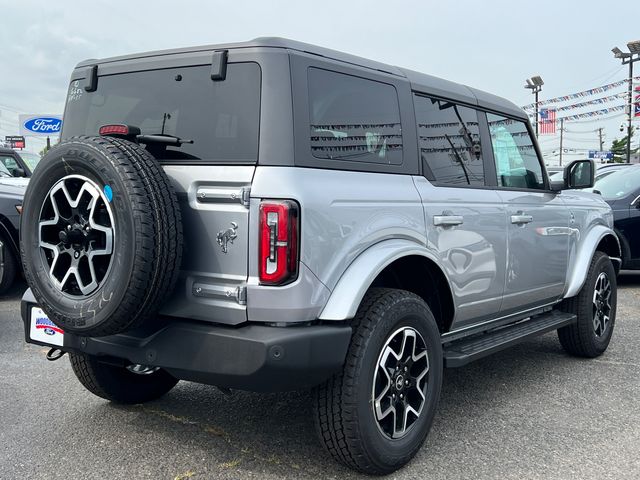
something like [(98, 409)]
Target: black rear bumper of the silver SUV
[(253, 357)]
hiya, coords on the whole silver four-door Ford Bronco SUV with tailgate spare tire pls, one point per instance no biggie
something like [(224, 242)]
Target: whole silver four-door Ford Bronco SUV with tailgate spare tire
[(272, 215)]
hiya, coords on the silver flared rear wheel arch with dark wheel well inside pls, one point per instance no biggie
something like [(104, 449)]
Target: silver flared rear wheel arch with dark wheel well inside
[(398, 264)]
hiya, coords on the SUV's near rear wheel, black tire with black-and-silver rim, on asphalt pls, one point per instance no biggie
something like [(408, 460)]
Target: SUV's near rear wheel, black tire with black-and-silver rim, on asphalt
[(375, 415)]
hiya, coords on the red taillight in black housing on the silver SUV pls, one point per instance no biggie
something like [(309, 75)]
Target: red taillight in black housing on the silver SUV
[(278, 246)]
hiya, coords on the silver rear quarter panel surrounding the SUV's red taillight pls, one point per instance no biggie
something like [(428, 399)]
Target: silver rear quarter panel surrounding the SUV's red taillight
[(342, 215)]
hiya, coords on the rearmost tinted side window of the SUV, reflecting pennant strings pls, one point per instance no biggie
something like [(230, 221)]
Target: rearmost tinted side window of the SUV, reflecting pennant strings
[(353, 119)]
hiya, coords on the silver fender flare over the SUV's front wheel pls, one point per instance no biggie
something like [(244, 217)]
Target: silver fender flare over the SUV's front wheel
[(599, 238)]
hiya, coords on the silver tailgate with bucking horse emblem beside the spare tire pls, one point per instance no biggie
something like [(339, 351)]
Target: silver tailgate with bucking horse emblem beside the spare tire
[(215, 216)]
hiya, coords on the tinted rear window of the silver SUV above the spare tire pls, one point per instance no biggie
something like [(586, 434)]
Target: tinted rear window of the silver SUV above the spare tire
[(221, 118)]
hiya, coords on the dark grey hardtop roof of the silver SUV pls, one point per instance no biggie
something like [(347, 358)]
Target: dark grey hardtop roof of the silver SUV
[(419, 81)]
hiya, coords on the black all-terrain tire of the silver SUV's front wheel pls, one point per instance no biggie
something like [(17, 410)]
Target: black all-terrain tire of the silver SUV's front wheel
[(586, 338)]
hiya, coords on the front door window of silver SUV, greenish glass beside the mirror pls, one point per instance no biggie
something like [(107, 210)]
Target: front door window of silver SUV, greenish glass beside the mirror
[(516, 160)]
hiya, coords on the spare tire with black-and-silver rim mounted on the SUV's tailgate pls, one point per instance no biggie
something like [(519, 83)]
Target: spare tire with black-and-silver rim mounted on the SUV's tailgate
[(101, 235)]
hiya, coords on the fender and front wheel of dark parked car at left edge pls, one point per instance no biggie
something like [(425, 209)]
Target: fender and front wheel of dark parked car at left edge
[(11, 194)]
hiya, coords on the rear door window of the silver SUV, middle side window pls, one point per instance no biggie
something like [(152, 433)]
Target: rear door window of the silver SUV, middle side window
[(449, 139)]
